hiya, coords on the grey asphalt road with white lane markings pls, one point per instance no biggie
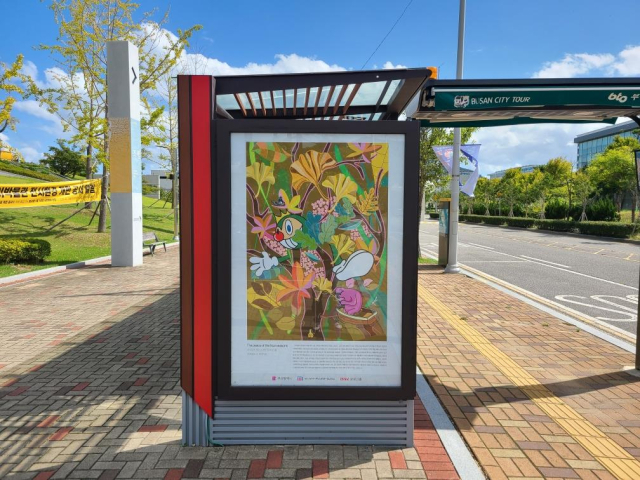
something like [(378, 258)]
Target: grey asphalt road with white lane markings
[(596, 277)]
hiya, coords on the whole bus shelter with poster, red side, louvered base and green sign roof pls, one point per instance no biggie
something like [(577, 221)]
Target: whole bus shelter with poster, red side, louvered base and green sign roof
[(299, 240)]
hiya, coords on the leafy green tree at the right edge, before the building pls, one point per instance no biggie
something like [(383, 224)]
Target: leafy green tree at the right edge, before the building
[(613, 173)]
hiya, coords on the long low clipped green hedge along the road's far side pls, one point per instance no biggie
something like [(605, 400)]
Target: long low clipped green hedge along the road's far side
[(603, 229)]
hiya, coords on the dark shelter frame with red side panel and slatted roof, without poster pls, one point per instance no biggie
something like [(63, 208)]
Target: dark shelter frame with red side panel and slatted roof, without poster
[(271, 103)]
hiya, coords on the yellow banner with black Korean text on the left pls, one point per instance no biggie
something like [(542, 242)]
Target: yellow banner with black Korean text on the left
[(49, 193)]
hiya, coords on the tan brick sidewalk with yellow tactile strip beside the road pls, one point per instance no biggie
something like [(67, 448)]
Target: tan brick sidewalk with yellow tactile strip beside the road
[(533, 396)]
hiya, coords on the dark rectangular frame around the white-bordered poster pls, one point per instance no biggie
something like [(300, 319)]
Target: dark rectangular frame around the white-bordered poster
[(406, 391)]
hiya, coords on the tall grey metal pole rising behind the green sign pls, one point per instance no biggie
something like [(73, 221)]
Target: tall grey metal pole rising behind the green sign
[(452, 266)]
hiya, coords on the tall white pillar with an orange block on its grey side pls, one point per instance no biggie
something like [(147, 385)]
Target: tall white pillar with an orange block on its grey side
[(125, 151)]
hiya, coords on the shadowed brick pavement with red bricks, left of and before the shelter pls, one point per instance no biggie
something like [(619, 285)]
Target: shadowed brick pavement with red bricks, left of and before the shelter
[(89, 389)]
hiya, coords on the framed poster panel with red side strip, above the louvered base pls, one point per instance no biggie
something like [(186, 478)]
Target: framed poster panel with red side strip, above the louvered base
[(298, 241)]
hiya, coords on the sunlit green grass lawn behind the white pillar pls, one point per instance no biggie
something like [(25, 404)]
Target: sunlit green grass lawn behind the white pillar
[(74, 240)]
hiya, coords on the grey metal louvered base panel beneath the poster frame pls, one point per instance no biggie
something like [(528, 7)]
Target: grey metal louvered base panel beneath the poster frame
[(313, 422)]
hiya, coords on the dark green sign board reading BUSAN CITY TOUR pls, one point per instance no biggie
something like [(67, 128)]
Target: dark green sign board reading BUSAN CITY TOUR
[(532, 98)]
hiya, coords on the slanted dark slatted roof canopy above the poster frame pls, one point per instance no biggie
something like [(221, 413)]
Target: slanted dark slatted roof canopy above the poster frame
[(363, 95)]
